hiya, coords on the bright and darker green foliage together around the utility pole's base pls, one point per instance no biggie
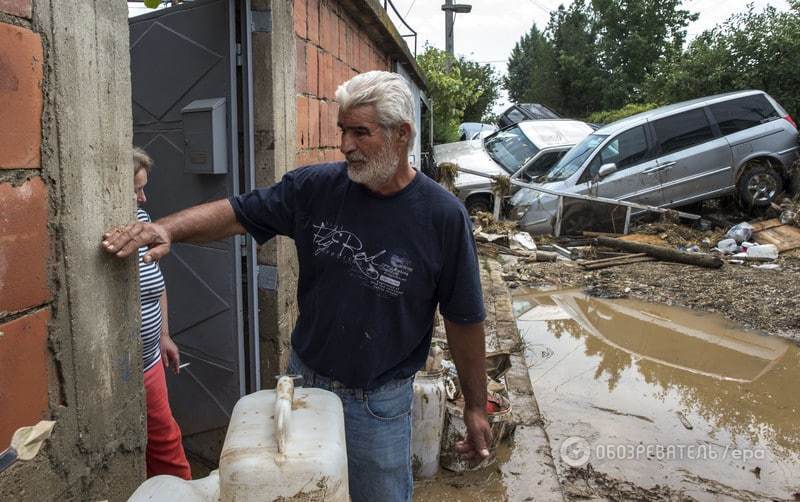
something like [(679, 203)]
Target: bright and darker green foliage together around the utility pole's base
[(461, 91)]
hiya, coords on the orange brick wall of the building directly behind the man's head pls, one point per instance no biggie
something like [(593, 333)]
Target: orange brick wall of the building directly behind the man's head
[(330, 49)]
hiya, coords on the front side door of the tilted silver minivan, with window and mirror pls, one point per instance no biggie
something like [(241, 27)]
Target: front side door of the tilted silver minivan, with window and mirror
[(634, 180)]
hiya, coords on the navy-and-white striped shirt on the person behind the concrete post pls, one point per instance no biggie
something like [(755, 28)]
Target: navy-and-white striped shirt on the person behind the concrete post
[(151, 286)]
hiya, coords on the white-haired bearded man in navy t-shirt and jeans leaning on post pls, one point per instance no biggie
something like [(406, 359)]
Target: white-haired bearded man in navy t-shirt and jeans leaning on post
[(379, 247)]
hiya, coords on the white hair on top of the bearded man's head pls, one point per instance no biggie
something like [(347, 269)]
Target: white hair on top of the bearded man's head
[(388, 92)]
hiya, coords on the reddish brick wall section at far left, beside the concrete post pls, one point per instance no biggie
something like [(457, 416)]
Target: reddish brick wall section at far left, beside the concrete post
[(24, 238)]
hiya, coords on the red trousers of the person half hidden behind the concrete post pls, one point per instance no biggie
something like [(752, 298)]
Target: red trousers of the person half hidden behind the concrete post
[(164, 453)]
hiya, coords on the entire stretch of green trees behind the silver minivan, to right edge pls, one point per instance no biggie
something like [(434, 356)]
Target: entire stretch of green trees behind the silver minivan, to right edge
[(624, 55)]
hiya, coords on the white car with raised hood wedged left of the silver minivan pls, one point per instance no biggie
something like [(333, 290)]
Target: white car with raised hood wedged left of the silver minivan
[(522, 151)]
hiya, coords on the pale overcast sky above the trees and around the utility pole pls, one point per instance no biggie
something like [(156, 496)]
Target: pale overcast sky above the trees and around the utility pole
[(489, 32)]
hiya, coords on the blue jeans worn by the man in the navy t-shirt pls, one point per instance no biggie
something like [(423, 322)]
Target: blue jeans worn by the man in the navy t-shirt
[(378, 434)]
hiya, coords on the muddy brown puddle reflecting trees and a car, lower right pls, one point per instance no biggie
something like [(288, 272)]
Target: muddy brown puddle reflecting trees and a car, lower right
[(665, 398)]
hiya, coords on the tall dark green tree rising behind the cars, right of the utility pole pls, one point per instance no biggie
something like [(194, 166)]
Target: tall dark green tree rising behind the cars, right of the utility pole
[(594, 55)]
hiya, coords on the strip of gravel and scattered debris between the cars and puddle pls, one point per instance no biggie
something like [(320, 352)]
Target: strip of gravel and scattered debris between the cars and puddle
[(759, 291)]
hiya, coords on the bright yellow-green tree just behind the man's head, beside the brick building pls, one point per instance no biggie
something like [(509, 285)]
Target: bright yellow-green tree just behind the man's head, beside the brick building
[(450, 90)]
